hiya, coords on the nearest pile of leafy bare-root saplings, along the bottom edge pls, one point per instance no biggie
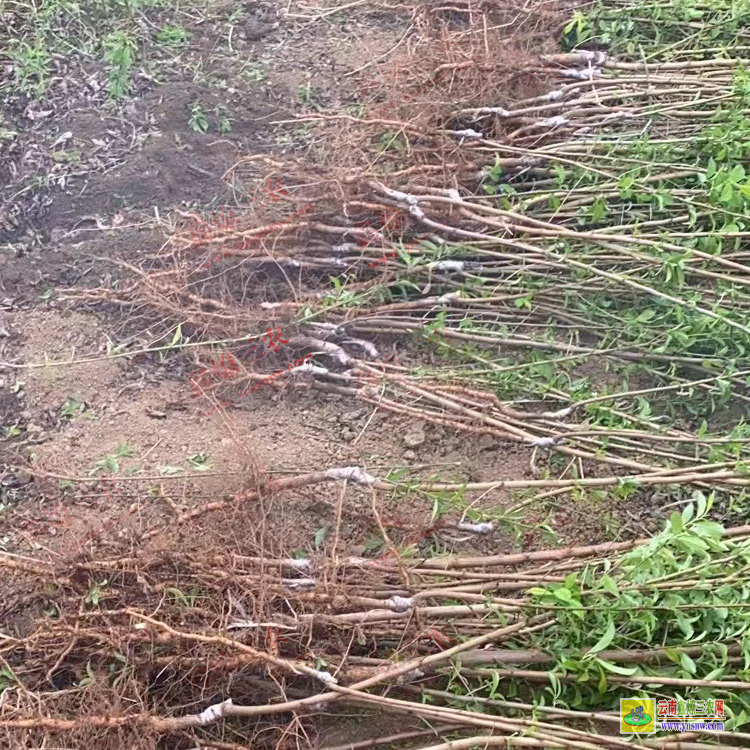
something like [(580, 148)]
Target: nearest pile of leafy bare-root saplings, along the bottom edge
[(536, 646)]
